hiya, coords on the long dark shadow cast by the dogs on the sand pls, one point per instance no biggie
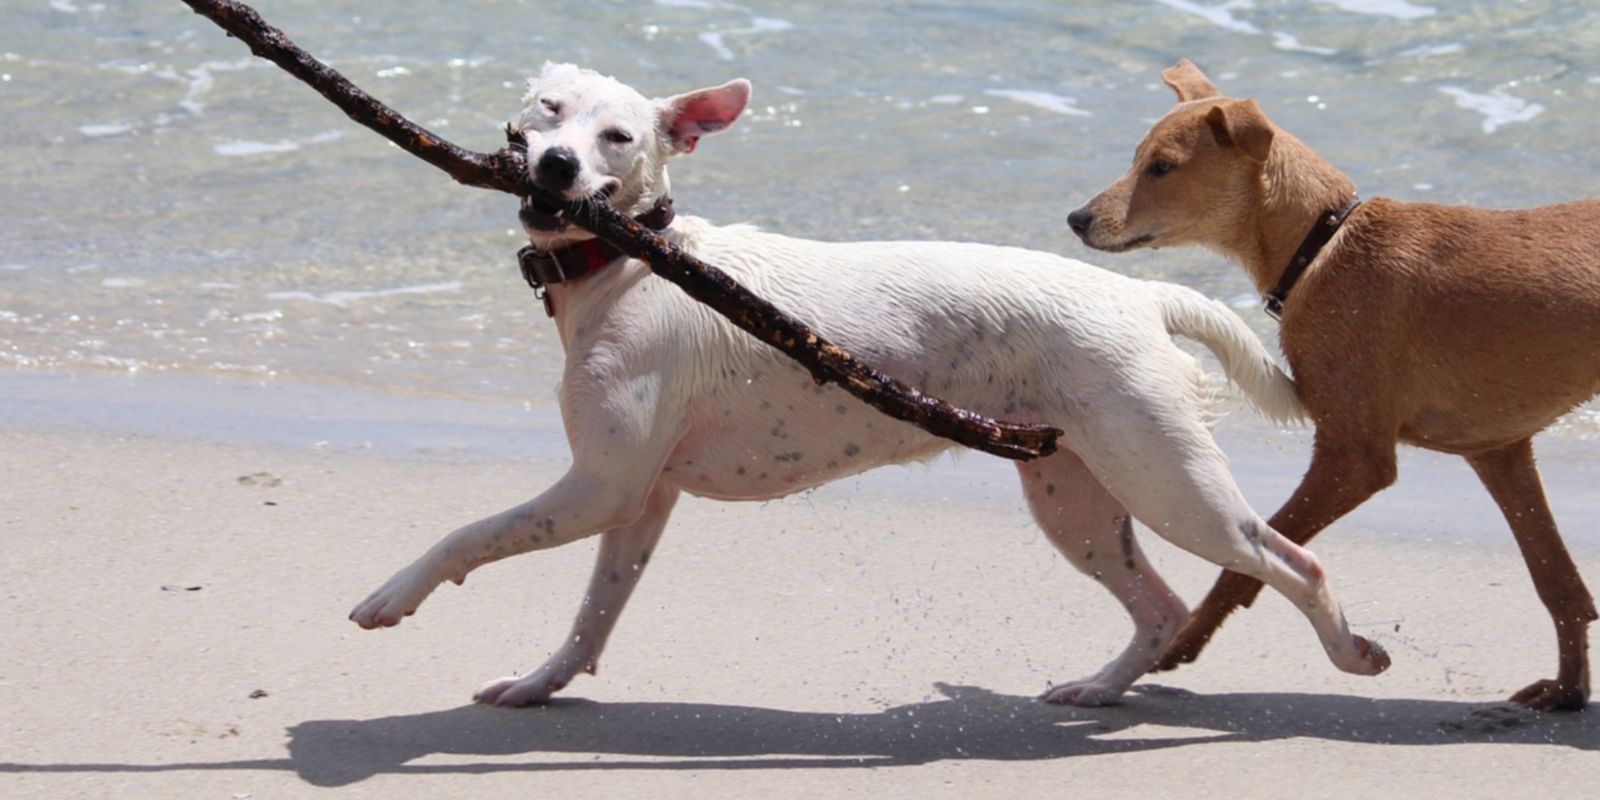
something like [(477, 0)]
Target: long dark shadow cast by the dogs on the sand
[(967, 724)]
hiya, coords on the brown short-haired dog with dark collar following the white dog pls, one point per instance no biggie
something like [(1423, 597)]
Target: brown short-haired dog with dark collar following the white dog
[(1460, 330)]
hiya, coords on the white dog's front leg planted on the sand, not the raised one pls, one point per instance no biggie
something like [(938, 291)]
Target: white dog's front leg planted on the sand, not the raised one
[(618, 569)]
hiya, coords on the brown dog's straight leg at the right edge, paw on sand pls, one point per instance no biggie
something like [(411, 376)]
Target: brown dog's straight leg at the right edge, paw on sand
[(1513, 481)]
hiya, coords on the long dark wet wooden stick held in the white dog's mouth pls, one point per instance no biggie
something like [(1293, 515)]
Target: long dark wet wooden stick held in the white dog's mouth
[(506, 172)]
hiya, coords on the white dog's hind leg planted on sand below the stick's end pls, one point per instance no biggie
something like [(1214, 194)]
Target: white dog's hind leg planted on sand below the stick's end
[(1095, 534)]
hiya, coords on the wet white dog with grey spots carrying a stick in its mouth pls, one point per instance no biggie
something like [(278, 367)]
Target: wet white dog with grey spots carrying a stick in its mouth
[(662, 396)]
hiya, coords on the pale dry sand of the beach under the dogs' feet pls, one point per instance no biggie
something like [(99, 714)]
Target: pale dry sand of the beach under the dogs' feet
[(175, 626)]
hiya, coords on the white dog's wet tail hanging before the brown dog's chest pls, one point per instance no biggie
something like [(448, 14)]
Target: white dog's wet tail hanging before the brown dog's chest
[(1246, 361)]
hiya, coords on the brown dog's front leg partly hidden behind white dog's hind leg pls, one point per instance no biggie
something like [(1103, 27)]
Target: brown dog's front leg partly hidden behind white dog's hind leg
[(1340, 479)]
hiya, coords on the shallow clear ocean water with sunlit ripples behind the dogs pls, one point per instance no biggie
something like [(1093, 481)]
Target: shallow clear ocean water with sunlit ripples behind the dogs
[(175, 207)]
